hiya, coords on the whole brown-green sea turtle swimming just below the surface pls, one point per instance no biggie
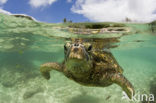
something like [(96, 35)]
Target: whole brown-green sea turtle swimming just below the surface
[(89, 67)]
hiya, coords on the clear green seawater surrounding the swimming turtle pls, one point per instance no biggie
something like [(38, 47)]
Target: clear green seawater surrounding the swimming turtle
[(26, 44)]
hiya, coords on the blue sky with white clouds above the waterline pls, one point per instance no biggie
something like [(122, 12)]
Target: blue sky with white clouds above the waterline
[(54, 11)]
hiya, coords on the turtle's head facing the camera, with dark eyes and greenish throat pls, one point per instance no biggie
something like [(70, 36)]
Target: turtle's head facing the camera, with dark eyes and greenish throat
[(77, 56)]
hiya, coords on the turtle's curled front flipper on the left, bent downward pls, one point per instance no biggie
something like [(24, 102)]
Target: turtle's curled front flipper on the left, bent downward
[(47, 67)]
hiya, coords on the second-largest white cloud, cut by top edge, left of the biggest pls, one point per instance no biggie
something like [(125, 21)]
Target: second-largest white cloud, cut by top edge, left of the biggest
[(41, 3)]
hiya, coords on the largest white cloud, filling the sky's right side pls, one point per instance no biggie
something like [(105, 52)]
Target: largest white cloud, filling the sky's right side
[(116, 10)]
